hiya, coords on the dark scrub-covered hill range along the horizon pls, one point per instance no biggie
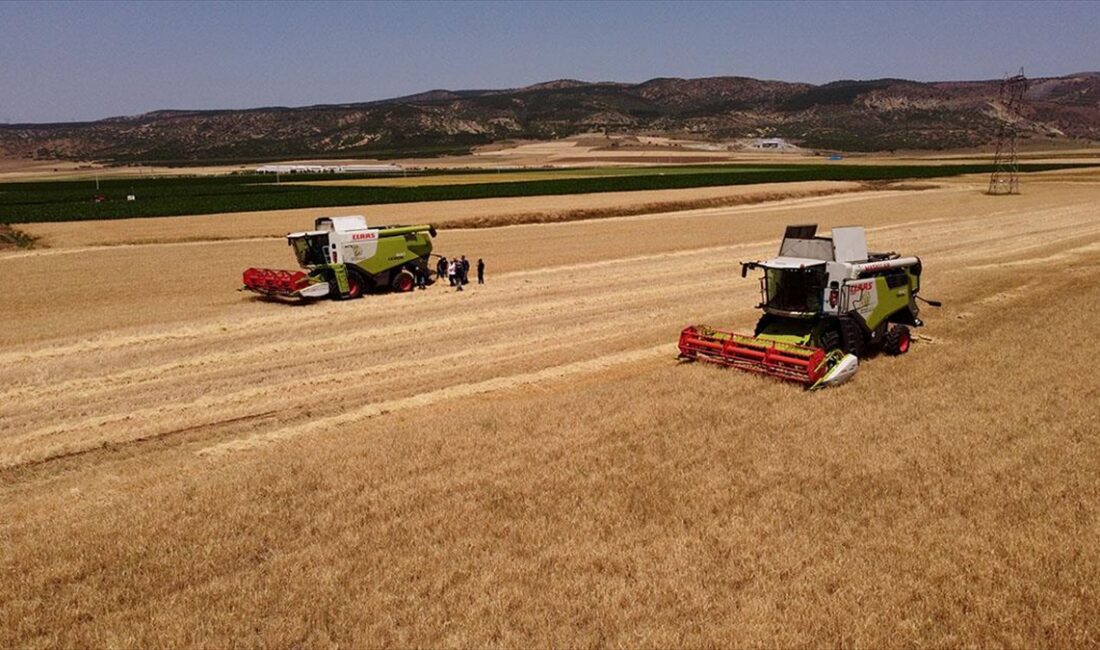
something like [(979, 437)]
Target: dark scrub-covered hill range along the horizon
[(876, 115)]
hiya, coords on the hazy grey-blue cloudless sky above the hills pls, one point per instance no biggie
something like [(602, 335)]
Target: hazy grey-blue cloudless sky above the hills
[(84, 61)]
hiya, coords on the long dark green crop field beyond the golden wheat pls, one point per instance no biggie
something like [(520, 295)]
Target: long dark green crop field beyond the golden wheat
[(75, 201)]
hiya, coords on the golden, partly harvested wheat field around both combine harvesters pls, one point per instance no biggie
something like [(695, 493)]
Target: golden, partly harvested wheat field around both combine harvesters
[(527, 464)]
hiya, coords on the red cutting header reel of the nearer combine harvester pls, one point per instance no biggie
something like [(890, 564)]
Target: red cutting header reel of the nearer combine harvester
[(786, 361)]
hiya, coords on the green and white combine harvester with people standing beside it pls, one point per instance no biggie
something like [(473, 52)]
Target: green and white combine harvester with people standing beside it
[(343, 259)]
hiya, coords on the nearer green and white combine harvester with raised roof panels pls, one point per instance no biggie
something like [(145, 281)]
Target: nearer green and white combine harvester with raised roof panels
[(828, 303)]
